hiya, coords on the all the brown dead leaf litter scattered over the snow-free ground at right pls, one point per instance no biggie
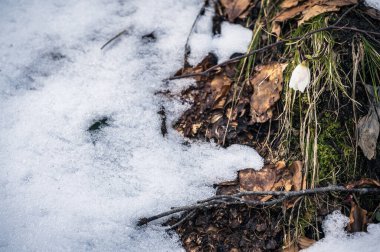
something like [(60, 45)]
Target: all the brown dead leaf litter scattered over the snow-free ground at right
[(226, 112)]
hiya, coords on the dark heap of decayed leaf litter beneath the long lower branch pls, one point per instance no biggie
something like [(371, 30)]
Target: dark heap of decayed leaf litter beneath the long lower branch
[(234, 228)]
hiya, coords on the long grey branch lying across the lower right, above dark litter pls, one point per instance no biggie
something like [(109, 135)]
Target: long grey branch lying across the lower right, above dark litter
[(236, 199)]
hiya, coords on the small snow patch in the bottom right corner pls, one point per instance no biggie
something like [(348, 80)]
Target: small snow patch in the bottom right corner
[(338, 240)]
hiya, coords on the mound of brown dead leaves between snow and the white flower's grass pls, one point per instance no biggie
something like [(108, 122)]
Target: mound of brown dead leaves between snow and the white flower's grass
[(225, 112)]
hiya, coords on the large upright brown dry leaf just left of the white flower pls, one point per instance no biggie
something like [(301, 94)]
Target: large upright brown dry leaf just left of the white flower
[(267, 87)]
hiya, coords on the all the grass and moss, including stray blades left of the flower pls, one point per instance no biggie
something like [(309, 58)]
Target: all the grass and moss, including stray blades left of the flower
[(314, 126)]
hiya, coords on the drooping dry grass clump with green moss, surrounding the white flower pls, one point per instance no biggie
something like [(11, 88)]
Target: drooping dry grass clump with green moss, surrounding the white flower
[(311, 130)]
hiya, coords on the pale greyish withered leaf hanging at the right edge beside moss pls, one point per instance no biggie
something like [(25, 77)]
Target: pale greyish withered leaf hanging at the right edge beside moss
[(368, 129)]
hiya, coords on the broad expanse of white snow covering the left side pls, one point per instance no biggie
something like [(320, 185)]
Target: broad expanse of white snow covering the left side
[(64, 189)]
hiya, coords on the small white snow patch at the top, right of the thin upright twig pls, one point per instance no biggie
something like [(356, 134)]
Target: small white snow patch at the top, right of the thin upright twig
[(232, 39)]
